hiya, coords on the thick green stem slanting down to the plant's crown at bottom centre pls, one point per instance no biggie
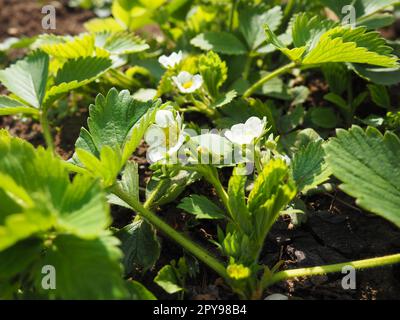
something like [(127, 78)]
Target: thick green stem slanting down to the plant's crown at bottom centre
[(186, 243)]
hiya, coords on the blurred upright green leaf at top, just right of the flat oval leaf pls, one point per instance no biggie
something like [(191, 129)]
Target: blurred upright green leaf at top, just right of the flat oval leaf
[(252, 21)]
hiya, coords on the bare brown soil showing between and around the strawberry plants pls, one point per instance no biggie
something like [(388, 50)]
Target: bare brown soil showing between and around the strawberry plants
[(335, 231)]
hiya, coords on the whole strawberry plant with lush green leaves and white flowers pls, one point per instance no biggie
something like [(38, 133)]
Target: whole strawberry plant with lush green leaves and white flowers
[(202, 116)]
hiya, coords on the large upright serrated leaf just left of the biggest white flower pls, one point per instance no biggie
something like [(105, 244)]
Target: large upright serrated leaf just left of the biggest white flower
[(116, 124)]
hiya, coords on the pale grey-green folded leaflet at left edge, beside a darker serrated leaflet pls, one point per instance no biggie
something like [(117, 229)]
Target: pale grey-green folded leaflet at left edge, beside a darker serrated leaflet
[(27, 78)]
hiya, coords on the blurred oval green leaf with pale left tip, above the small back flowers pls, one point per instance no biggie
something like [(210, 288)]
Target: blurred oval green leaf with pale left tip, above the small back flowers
[(221, 42)]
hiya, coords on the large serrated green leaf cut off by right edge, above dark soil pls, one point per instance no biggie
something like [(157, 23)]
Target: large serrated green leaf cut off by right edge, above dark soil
[(368, 165)]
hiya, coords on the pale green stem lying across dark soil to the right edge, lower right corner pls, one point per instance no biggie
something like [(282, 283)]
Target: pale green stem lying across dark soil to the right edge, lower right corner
[(314, 271)]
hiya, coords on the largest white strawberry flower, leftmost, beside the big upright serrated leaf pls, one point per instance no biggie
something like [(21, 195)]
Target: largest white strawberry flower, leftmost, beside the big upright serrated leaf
[(165, 137)]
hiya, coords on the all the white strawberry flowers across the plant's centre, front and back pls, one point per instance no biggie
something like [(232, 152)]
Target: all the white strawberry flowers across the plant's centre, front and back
[(166, 136)]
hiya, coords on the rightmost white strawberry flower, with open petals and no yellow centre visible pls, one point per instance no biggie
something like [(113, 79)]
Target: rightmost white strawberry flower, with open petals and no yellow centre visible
[(246, 133)]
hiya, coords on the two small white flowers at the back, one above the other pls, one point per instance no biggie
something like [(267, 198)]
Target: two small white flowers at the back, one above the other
[(186, 82)]
